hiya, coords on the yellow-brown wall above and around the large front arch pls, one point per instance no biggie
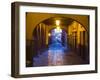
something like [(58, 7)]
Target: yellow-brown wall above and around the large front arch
[(32, 19)]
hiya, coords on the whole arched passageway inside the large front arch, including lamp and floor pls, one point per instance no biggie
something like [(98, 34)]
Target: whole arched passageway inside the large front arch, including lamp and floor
[(59, 41)]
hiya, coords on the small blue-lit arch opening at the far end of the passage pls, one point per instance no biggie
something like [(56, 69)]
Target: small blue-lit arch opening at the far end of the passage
[(57, 39)]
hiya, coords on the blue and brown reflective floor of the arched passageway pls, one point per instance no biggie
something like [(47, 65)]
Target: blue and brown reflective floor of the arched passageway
[(57, 55)]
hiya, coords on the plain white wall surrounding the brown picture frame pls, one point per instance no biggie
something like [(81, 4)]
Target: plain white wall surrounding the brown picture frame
[(5, 40)]
